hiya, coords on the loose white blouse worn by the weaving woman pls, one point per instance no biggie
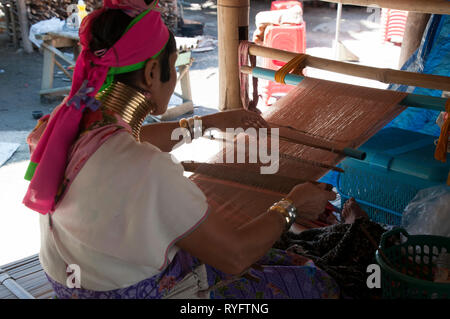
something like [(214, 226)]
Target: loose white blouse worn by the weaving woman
[(121, 217)]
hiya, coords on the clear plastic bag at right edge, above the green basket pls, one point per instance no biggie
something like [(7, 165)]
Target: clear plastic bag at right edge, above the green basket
[(429, 212)]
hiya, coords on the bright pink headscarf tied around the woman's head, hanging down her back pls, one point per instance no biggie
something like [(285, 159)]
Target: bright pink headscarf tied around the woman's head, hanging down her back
[(142, 41)]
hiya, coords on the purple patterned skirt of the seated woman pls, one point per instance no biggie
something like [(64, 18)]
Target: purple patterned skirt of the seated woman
[(278, 275)]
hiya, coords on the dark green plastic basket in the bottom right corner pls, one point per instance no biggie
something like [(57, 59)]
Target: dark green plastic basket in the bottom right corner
[(409, 270)]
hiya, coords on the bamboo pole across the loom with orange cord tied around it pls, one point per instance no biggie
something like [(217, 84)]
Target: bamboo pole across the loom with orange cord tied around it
[(388, 76)]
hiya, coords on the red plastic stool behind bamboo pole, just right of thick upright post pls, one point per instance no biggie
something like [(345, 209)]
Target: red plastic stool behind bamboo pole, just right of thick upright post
[(284, 37)]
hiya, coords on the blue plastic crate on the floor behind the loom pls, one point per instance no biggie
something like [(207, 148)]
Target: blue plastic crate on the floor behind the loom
[(399, 163)]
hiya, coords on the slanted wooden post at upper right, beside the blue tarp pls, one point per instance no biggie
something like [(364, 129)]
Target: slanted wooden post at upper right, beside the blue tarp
[(415, 26)]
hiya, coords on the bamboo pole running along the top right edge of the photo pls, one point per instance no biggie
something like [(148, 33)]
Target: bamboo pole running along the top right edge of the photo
[(423, 6)]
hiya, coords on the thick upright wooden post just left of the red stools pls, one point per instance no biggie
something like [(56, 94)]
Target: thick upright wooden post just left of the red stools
[(233, 17)]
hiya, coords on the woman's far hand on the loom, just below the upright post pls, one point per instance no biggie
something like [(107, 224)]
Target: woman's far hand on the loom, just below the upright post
[(240, 119)]
